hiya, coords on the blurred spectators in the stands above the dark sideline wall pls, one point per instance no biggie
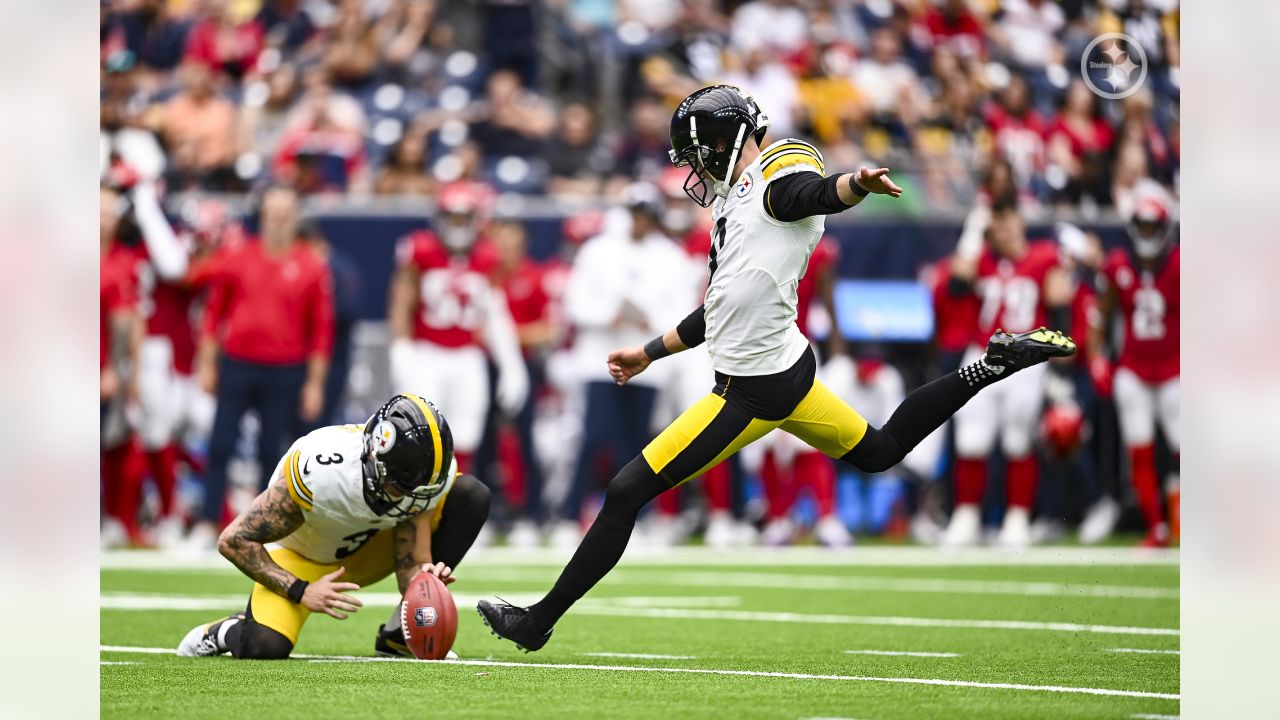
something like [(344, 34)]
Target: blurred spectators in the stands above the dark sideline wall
[(573, 98)]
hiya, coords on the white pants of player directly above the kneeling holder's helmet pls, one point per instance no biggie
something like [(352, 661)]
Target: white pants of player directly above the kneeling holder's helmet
[(456, 380)]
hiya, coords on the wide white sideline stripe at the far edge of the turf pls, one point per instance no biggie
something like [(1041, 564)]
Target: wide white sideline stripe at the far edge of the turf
[(744, 558)]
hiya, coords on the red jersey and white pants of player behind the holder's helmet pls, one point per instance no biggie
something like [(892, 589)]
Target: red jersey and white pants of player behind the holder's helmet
[(458, 316)]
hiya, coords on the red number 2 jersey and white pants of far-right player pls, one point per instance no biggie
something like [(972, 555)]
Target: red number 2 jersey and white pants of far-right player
[(1148, 375)]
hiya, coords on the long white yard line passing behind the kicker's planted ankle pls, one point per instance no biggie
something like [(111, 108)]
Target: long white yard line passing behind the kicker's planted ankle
[(638, 609)]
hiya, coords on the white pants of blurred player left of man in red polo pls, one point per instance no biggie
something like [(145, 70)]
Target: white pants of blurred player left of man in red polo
[(171, 404)]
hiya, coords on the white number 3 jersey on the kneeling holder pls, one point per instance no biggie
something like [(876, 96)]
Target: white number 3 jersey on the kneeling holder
[(324, 477)]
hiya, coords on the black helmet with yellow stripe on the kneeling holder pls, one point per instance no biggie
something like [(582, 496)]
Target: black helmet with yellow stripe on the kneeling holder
[(409, 449)]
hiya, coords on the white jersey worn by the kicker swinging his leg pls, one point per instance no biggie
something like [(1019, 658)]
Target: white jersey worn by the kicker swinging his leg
[(756, 267)]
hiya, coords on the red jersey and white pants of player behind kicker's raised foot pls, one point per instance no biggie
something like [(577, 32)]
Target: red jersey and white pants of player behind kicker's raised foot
[(1011, 294)]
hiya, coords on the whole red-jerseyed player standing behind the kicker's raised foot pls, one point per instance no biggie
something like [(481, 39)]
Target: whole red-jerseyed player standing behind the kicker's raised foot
[(1018, 284)]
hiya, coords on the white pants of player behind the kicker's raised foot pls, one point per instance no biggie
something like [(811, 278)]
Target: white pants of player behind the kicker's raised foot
[(1008, 409)]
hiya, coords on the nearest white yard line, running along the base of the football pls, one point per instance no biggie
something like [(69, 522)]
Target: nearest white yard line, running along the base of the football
[(1109, 692)]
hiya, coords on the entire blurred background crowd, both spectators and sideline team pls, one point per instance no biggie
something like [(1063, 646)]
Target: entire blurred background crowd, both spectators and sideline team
[(227, 336)]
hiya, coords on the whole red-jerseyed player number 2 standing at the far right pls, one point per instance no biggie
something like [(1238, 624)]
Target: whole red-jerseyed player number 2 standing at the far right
[(1142, 285)]
